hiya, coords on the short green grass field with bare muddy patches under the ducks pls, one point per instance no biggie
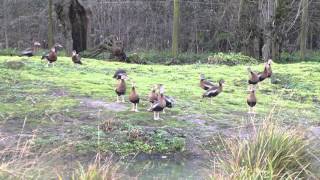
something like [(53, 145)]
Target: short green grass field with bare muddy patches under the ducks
[(71, 106)]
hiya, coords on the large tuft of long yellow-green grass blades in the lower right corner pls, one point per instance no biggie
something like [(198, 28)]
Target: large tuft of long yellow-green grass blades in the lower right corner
[(272, 152)]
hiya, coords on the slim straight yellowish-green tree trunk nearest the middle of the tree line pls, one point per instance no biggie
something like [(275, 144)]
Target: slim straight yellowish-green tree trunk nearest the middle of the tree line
[(176, 23)]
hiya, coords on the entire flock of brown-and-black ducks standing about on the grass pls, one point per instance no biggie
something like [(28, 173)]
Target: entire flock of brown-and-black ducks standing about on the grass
[(159, 101)]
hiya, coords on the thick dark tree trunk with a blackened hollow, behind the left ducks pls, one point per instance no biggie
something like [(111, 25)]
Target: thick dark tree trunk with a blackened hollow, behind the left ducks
[(74, 18)]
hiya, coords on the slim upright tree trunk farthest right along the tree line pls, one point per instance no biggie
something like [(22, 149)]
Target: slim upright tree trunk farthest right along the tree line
[(304, 29)]
